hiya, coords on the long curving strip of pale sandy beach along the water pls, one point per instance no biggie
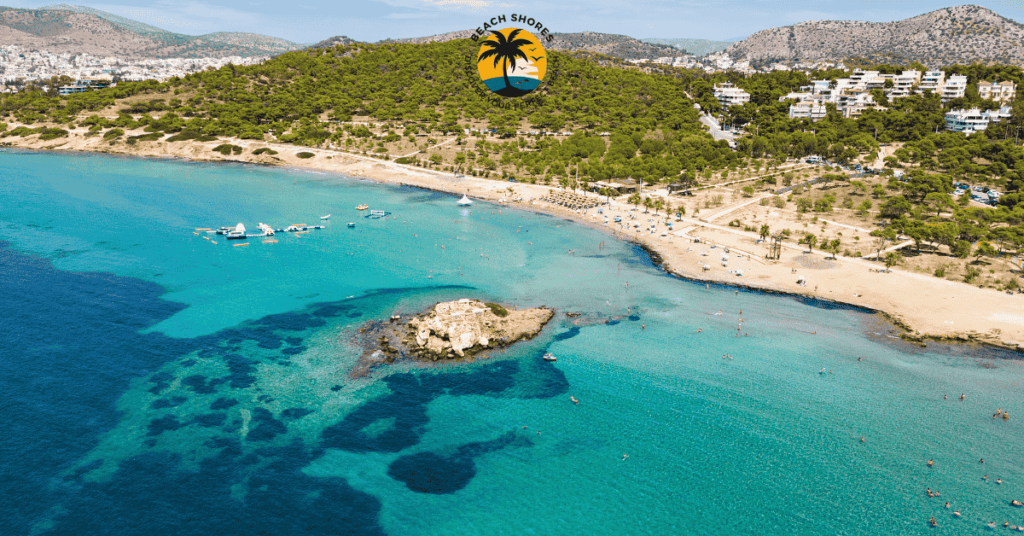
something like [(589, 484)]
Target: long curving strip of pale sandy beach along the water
[(702, 250)]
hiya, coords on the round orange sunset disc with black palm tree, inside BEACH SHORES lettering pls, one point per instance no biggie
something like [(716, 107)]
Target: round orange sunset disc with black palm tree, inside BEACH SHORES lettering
[(511, 62)]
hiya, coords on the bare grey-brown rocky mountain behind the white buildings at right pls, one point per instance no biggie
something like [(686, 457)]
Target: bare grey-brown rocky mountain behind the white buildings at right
[(955, 35)]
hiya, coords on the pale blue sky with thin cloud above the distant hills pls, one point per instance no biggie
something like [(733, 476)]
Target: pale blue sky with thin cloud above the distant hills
[(312, 21)]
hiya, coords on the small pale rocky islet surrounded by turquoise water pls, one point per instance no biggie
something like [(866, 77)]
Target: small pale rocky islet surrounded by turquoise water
[(450, 331)]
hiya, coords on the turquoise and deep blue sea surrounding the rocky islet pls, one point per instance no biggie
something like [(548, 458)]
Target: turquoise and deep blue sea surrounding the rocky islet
[(153, 383)]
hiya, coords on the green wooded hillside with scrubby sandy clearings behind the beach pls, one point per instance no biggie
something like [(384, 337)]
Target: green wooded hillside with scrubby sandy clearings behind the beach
[(596, 119)]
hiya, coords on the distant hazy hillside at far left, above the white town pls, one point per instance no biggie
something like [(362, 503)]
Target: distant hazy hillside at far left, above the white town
[(68, 29)]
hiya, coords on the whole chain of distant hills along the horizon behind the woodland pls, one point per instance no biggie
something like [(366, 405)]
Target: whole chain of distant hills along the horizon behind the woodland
[(955, 35)]
